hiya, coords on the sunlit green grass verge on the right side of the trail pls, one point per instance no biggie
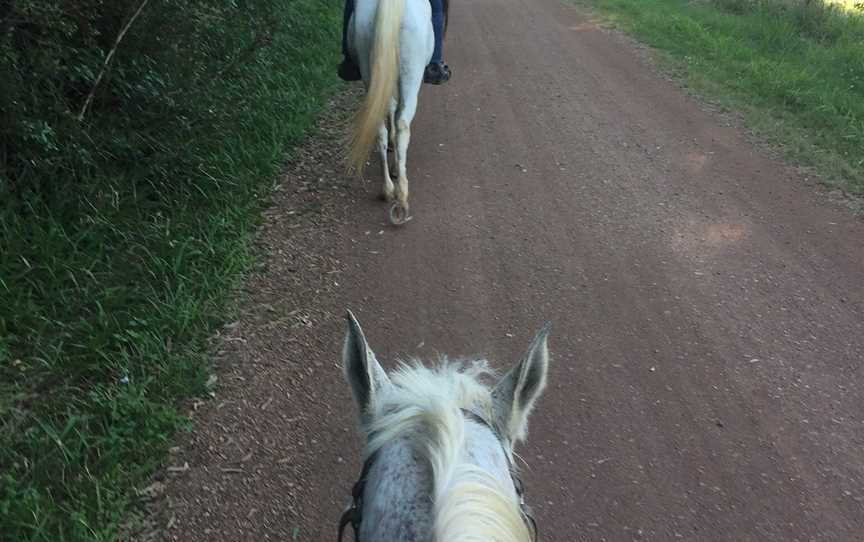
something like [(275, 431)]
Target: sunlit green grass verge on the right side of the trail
[(795, 70)]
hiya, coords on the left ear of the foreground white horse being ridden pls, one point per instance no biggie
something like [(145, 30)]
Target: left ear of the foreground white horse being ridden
[(362, 371)]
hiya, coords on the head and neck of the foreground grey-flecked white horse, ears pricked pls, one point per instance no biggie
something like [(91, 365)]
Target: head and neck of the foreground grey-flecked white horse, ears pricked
[(439, 447)]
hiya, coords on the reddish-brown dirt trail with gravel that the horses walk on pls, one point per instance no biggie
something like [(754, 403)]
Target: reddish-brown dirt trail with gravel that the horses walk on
[(708, 306)]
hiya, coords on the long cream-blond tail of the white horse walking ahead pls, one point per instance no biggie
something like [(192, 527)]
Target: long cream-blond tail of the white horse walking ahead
[(384, 63)]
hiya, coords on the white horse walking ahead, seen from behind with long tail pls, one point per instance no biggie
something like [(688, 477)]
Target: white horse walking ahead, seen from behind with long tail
[(392, 41)]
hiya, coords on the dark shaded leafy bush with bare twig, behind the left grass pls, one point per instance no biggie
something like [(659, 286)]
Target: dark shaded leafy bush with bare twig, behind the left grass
[(157, 84)]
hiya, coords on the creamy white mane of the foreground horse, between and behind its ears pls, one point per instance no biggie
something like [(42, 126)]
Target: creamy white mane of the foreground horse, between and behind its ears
[(469, 503)]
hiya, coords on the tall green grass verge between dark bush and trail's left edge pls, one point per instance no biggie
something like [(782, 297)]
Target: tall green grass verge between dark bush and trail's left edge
[(106, 305)]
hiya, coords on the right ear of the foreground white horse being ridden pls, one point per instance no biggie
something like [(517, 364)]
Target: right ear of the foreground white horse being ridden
[(514, 396)]
